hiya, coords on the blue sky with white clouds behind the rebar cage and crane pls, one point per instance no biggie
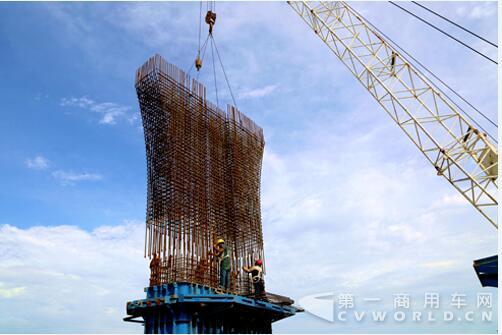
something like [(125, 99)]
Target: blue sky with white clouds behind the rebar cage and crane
[(349, 204)]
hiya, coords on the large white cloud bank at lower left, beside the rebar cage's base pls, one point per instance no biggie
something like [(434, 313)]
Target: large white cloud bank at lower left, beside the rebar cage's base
[(56, 275)]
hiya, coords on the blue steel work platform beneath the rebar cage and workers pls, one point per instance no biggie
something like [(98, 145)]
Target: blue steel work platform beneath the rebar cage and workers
[(185, 308)]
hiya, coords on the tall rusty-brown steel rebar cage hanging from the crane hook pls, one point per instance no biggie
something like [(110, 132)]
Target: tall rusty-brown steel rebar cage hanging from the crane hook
[(204, 169)]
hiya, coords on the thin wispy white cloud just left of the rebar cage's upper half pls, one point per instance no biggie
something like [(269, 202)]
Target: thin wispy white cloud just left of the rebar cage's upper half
[(110, 112)]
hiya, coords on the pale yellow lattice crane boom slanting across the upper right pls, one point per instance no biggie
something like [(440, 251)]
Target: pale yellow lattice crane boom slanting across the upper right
[(457, 150)]
